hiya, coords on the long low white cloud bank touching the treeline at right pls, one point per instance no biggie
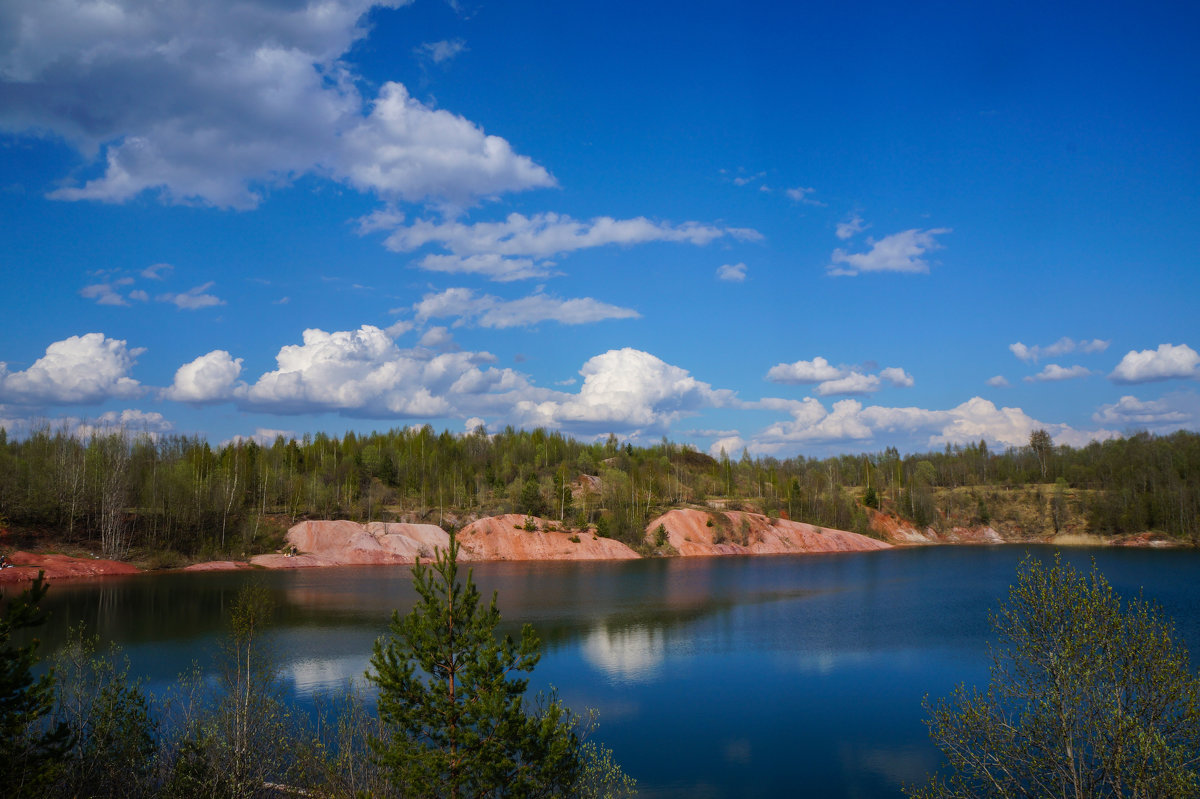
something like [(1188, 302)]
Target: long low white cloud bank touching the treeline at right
[(850, 422)]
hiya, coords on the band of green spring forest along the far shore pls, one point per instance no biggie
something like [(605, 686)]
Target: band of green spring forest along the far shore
[(125, 494)]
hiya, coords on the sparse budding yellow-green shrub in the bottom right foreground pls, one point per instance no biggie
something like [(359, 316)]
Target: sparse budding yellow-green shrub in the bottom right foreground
[(1089, 698)]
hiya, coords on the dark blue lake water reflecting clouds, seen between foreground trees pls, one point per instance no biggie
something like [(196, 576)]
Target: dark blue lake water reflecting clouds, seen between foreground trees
[(713, 677)]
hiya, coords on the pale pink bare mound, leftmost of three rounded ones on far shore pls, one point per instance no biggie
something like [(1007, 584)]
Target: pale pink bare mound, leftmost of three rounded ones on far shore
[(351, 544)]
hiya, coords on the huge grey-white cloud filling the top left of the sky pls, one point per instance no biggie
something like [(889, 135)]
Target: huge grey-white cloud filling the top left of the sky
[(235, 97)]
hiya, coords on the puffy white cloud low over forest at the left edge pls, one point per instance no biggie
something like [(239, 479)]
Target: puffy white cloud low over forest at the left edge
[(80, 370)]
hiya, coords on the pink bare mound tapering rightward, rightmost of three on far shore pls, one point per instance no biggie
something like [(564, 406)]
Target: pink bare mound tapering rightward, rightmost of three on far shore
[(701, 533)]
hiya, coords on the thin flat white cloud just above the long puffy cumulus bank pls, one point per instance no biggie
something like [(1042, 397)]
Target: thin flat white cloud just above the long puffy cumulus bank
[(488, 311)]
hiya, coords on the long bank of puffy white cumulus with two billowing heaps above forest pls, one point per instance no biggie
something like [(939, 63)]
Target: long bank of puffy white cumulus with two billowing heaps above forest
[(363, 374)]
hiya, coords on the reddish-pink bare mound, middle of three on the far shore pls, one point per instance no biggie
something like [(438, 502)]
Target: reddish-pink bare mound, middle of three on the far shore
[(506, 538)]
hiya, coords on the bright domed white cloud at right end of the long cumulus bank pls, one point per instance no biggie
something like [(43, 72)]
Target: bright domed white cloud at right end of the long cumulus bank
[(623, 391)]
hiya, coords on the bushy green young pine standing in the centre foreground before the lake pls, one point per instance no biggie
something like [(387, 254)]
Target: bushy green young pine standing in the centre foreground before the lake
[(453, 696)]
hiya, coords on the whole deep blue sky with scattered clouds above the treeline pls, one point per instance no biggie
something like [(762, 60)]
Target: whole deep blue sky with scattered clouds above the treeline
[(791, 229)]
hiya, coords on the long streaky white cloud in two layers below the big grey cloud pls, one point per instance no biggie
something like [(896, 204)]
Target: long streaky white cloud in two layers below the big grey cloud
[(520, 247)]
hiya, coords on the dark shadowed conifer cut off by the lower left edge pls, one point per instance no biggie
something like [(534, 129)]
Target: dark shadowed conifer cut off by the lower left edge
[(29, 753)]
